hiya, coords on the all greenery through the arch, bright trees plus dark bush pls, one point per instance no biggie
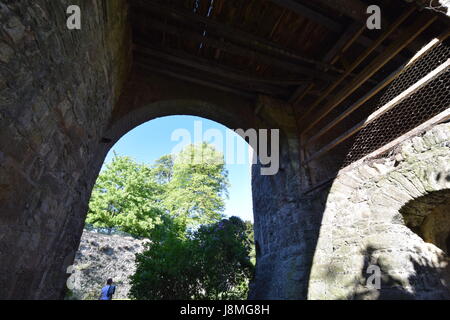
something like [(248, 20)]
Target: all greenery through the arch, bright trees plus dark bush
[(178, 203)]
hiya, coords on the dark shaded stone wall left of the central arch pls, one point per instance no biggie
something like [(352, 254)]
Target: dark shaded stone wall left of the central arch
[(57, 91)]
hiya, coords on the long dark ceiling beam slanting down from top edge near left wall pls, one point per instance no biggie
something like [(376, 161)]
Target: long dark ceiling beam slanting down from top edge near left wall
[(247, 39)]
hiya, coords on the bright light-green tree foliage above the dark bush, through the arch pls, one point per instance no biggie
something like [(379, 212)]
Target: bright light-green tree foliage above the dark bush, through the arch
[(133, 197)]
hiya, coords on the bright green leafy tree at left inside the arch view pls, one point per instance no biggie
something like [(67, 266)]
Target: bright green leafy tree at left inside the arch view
[(126, 197)]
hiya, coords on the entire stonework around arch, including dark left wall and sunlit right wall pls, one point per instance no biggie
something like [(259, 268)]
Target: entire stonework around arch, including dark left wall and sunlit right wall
[(67, 96)]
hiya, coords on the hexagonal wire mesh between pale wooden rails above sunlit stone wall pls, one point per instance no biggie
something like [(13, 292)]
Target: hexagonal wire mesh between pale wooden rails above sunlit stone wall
[(421, 106)]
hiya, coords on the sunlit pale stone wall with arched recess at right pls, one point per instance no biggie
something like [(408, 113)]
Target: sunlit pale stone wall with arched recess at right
[(373, 216)]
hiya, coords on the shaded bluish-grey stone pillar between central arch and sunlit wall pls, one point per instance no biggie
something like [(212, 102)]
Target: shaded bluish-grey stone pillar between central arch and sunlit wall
[(286, 226)]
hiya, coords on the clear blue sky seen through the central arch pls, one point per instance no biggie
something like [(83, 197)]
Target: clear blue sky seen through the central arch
[(153, 139)]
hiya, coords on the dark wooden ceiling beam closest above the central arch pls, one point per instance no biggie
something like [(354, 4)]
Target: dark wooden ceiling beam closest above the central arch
[(181, 58)]
